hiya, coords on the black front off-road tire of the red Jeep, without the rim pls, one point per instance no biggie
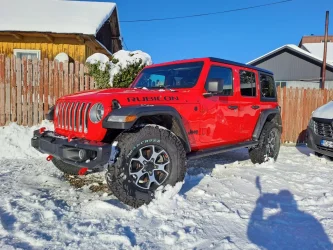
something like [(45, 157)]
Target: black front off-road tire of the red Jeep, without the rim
[(118, 177)]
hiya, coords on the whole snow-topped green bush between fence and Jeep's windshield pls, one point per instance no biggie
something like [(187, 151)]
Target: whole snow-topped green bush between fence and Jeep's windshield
[(120, 71)]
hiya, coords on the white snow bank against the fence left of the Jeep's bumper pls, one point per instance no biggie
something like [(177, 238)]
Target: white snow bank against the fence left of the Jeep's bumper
[(15, 141)]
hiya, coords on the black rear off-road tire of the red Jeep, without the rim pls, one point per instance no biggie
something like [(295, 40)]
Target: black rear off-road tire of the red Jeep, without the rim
[(259, 154)]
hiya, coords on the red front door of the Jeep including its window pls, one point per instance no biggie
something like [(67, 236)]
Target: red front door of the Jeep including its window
[(220, 115)]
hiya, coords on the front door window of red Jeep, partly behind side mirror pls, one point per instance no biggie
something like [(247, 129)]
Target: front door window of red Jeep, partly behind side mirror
[(223, 76)]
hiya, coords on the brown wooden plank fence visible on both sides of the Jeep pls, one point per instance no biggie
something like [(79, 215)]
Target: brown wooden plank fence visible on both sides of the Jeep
[(28, 88)]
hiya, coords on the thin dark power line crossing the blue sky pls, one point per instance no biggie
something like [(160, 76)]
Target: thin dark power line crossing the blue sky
[(204, 14)]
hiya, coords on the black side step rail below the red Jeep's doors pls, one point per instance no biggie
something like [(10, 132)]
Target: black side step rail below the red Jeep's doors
[(221, 149)]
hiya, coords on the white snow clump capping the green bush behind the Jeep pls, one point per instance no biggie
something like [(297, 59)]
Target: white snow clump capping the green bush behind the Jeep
[(120, 60)]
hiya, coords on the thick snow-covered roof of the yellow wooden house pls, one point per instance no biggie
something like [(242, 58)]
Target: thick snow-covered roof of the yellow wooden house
[(55, 16)]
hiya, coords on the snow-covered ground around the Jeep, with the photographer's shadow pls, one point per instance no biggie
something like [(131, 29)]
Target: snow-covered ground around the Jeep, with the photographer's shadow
[(218, 207)]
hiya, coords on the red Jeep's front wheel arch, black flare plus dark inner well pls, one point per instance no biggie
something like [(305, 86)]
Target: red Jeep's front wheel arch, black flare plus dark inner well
[(165, 116)]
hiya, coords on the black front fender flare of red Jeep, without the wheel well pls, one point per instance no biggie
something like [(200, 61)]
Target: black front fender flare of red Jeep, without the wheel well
[(116, 119)]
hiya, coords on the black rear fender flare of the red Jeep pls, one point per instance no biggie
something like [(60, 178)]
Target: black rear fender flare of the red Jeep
[(267, 115)]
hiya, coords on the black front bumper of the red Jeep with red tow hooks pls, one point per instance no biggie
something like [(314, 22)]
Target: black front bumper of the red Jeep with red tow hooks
[(97, 153)]
